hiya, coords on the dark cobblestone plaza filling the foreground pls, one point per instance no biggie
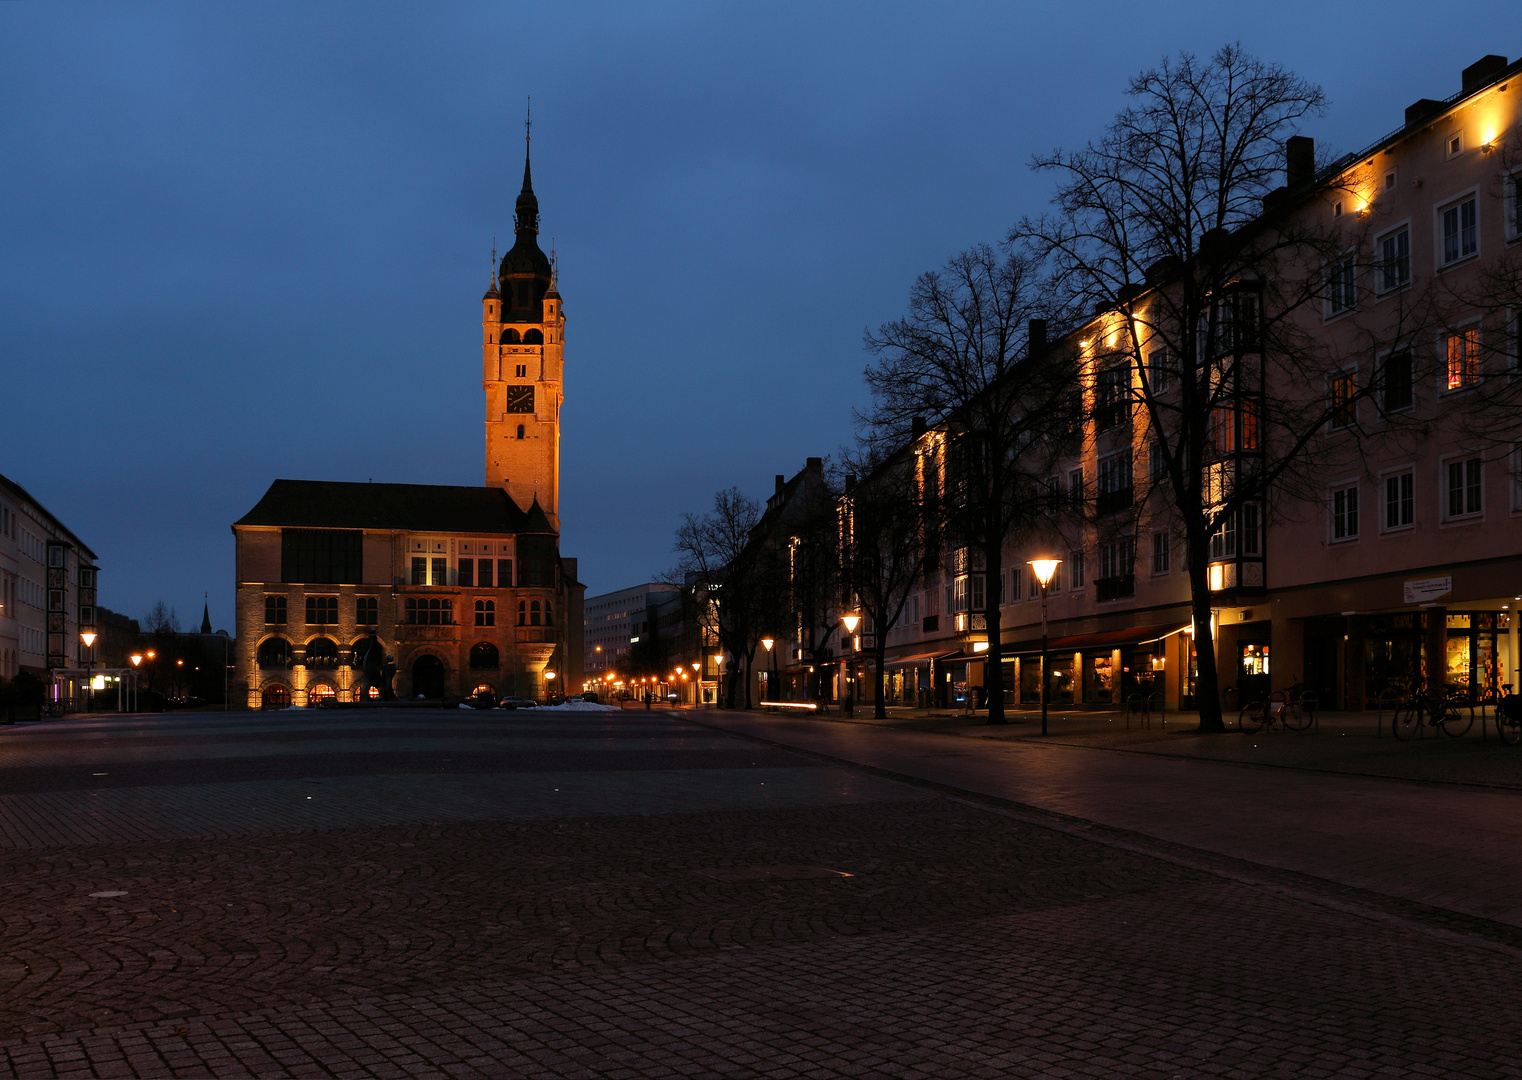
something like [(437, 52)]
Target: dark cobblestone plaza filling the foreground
[(634, 895)]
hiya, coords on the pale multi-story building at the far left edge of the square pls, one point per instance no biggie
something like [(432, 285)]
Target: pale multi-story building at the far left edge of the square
[(48, 591)]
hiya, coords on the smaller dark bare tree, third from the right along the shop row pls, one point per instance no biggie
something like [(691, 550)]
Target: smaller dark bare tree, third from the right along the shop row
[(884, 544)]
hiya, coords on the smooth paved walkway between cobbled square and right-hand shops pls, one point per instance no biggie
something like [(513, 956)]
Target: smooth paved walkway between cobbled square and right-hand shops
[(1317, 805)]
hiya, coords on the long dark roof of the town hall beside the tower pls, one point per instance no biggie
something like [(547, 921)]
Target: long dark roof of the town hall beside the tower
[(412, 507)]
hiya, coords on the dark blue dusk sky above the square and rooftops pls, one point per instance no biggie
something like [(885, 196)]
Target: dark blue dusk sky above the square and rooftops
[(249, 241)]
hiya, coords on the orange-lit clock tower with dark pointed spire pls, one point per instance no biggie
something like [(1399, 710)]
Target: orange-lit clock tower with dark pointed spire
[(523, 370)]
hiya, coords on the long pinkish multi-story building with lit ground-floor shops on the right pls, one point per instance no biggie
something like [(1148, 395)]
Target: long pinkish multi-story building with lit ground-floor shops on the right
[(1401, 556)]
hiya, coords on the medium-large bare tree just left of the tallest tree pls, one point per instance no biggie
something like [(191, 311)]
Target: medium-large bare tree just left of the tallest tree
[(966, 360)]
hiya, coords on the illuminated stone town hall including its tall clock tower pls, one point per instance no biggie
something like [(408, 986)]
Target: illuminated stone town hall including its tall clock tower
[(463, 588)]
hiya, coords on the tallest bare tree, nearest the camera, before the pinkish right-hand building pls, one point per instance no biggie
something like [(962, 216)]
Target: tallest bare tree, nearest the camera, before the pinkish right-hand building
[(1209, 288)]
